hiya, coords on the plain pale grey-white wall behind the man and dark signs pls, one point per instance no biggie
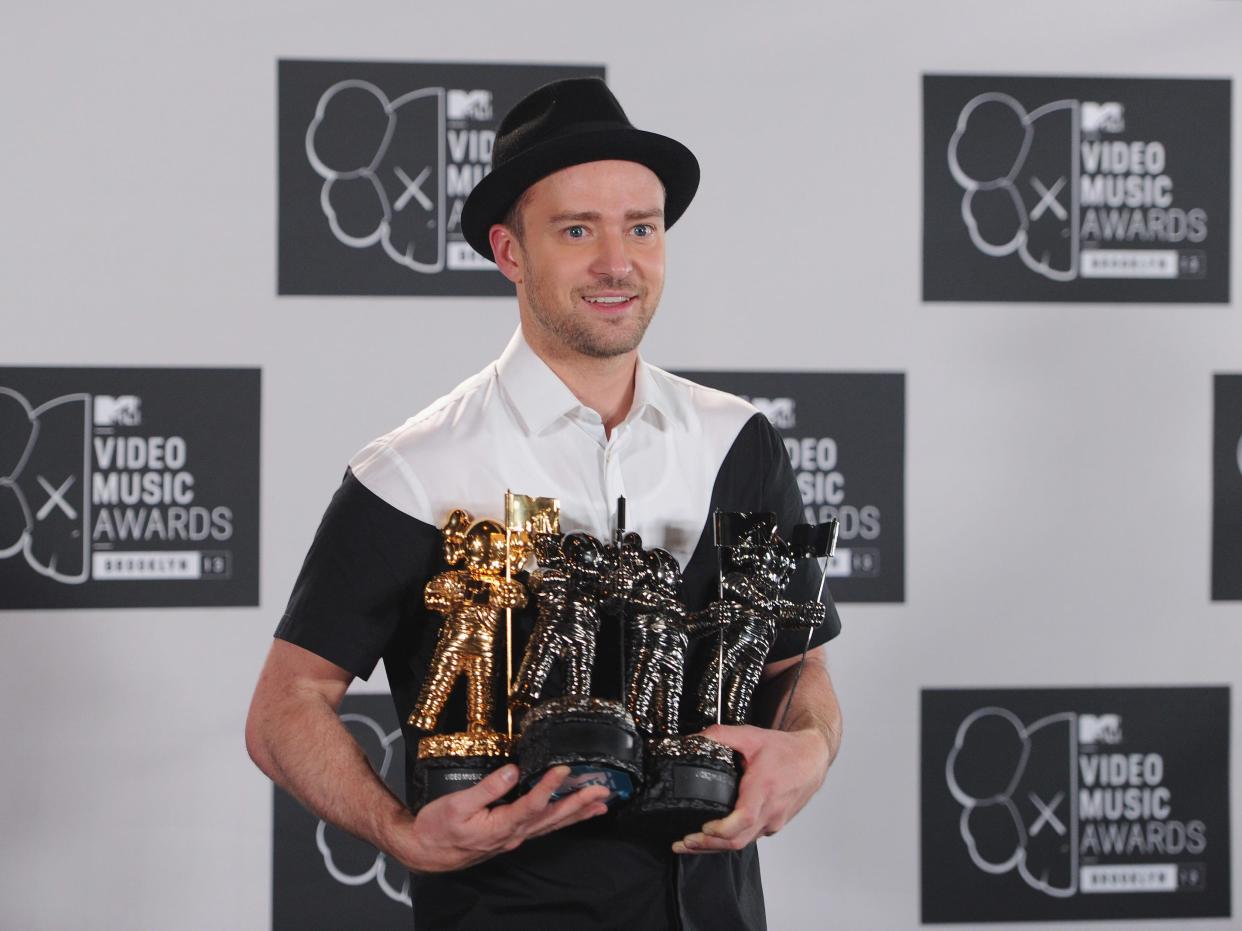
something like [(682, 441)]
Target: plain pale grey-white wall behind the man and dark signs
[(1059, 479)]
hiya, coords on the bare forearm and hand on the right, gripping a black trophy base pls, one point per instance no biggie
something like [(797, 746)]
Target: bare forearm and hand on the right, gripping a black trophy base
[(783, 769)]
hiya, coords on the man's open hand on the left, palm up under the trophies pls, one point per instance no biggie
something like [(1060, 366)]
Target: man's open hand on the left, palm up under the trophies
[(460, 830)]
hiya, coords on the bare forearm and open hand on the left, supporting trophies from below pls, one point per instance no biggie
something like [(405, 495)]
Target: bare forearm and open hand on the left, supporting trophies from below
[(296, 738)]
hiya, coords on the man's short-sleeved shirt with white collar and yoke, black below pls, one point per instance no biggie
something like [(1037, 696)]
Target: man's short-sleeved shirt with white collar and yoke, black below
[(682, 452)]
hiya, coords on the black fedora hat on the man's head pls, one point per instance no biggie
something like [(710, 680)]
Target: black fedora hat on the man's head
[(567, 124)]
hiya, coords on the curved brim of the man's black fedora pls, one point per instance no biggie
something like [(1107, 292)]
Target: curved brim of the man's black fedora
[(491, 199)]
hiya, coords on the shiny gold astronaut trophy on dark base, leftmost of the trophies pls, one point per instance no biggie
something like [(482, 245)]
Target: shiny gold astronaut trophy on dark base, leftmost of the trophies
[(470, 596)]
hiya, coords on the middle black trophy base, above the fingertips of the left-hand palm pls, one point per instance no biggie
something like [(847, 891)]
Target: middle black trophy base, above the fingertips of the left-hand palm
[(594, 738)]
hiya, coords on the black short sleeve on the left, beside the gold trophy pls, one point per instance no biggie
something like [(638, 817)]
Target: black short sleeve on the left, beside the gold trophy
[(367, 564)]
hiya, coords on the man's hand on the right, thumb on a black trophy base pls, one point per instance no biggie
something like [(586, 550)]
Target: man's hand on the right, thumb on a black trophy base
[(783, 770)]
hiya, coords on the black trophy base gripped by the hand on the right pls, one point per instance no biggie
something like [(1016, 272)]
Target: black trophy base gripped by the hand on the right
[(691, 780)]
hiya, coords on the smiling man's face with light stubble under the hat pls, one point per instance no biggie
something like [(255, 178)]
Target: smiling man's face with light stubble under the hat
[(591, 263)]
